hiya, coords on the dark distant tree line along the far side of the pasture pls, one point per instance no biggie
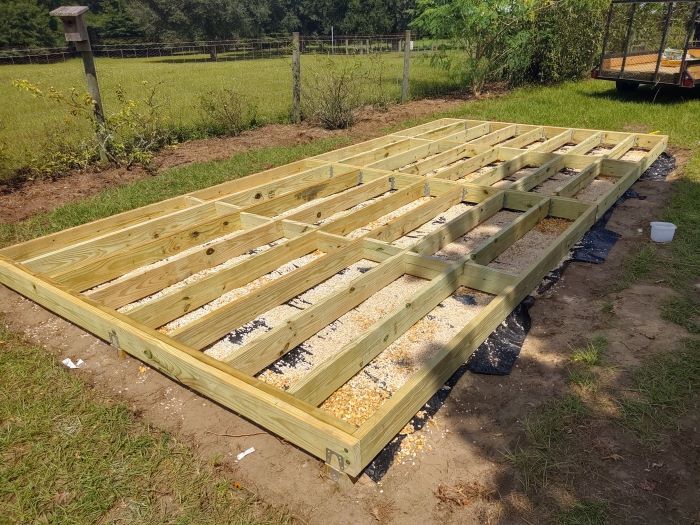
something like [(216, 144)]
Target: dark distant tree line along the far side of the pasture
[(26, 23)]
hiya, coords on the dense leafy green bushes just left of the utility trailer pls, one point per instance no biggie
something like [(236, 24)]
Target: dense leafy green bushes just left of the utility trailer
[(502, 40)]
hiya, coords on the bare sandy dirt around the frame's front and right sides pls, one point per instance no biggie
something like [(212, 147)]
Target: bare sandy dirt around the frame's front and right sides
[(464, 443)]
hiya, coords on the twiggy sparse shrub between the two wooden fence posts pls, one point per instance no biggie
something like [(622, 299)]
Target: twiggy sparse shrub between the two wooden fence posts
[(332, 94)]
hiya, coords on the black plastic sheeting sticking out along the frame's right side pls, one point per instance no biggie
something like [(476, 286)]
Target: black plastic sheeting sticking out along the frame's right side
[(498, 354)]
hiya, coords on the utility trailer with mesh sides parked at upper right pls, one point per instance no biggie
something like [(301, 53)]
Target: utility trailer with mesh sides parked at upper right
[(656, 43)]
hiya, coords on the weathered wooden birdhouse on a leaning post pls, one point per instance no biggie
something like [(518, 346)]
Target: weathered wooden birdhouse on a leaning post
[(76, 31)]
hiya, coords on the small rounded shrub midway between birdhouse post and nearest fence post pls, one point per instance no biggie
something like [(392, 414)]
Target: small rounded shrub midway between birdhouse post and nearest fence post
[(228, 112)]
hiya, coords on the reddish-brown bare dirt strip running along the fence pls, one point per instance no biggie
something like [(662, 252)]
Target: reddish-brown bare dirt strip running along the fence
[(18, 203)]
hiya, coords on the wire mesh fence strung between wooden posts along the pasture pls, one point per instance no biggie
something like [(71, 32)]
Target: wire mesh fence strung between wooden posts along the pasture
[(259, 71)]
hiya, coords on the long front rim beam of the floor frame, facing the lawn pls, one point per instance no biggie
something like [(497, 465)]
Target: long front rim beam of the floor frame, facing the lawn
[(278, 412)]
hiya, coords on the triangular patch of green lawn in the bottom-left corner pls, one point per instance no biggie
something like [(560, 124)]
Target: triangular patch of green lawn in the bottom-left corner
[(67, 456)]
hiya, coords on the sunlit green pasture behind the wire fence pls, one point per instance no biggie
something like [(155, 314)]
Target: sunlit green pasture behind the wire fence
[(26, 119)]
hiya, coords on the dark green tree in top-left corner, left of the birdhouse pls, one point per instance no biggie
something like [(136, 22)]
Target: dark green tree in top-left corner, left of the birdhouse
[(23, 23)]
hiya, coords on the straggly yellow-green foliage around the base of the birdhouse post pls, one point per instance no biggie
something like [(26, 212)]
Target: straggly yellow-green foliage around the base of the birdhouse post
[(129, 136)]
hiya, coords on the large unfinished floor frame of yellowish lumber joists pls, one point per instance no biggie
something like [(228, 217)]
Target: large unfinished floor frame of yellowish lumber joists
[(286, 204)]
